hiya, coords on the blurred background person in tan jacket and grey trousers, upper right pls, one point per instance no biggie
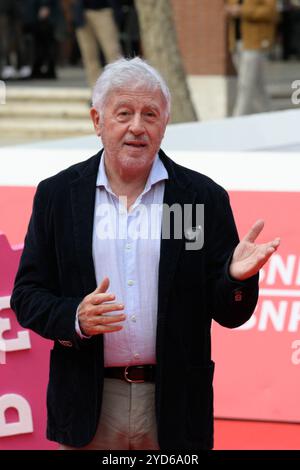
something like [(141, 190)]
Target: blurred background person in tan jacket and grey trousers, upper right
[(252, 28)]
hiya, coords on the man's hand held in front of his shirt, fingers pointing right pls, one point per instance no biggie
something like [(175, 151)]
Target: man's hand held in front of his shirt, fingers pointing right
[(94, 310)]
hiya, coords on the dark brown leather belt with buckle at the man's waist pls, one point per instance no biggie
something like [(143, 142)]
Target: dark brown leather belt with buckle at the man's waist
[(132, 374)]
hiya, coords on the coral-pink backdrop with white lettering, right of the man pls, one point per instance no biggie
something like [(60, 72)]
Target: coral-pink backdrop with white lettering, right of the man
[(257, 366)]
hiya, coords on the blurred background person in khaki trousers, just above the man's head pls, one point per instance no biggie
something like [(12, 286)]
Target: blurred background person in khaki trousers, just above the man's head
[(96, 29)]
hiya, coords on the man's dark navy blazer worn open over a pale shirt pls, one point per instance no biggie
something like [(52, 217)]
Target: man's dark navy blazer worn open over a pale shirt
[(56, 271)]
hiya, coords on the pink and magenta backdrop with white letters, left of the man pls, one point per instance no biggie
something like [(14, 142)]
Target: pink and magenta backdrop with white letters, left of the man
[(24, 368)]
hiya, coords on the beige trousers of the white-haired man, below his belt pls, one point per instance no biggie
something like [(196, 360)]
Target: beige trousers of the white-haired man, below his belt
[(127, 420)]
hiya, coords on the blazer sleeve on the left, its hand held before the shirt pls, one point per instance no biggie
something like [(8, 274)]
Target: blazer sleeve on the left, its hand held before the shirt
[(36, 297)]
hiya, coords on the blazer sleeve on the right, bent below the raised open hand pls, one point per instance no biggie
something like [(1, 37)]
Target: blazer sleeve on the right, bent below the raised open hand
[(233, 302)]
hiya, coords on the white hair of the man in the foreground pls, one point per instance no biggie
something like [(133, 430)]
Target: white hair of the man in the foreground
[(128, 73)]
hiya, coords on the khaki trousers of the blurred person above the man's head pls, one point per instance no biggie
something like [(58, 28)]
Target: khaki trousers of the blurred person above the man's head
[(99, 30)]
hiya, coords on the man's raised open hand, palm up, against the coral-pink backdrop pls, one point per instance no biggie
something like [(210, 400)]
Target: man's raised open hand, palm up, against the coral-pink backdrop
[(249, 257)]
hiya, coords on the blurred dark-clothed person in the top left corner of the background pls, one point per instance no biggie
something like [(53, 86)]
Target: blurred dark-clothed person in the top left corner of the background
[(14, 56)]
